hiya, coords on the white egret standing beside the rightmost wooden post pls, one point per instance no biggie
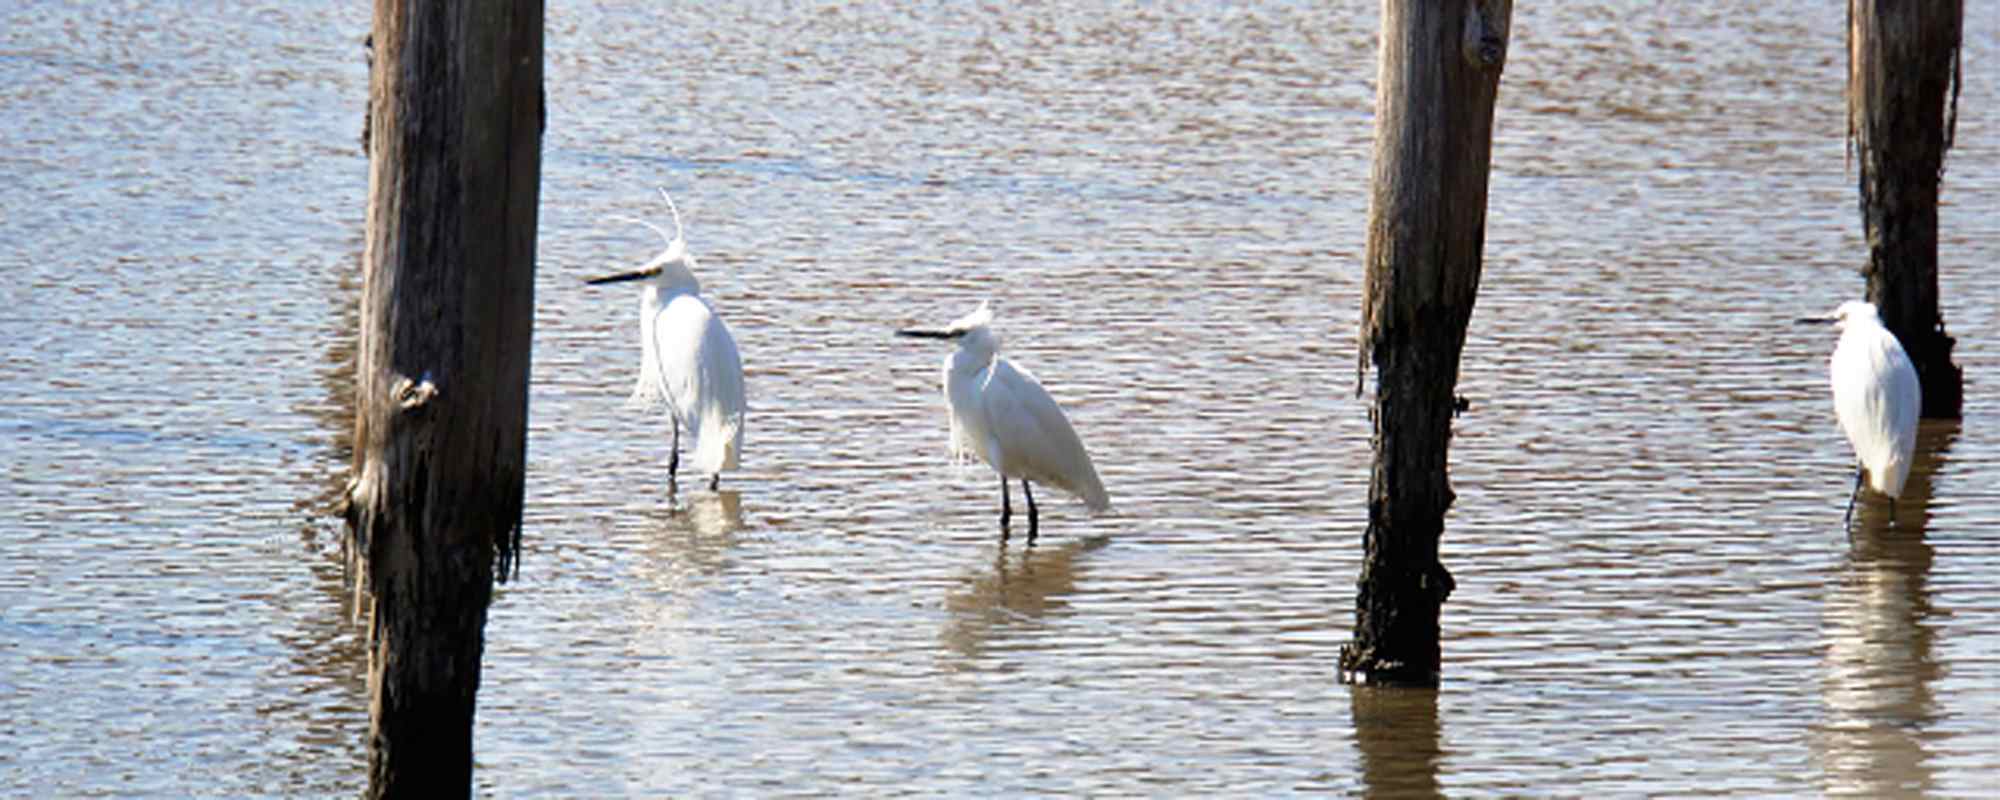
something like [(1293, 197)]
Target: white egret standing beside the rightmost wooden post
[(1875, 399)]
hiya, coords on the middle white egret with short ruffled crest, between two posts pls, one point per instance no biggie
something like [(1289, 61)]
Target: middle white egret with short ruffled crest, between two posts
[(1005, 417)]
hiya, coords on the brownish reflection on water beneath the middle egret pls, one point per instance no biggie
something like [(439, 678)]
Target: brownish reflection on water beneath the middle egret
[(1021, 587)]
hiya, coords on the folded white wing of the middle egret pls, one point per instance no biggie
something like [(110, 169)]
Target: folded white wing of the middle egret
[(1035, 437)]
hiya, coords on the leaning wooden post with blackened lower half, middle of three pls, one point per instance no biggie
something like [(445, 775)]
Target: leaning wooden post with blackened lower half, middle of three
[(1427, 225)]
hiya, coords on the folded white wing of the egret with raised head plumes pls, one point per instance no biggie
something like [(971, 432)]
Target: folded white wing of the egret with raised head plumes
[(703, 379)]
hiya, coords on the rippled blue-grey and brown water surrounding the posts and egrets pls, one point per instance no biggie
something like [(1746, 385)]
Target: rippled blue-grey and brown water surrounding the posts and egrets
[(1167, 207)]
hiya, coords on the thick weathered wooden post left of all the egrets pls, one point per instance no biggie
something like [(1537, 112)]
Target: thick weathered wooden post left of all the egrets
[(441, 431)]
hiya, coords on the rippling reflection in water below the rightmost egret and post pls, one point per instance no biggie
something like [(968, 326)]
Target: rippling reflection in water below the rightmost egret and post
[(1881, 649)]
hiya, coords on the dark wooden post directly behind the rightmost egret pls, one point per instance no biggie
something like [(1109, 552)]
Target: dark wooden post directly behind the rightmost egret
[(1903, 105)]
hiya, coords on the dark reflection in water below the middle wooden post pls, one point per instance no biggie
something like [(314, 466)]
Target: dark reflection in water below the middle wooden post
[(1397, 735)]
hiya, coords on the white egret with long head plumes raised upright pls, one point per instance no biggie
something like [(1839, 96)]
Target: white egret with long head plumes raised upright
[(689, 359)]
